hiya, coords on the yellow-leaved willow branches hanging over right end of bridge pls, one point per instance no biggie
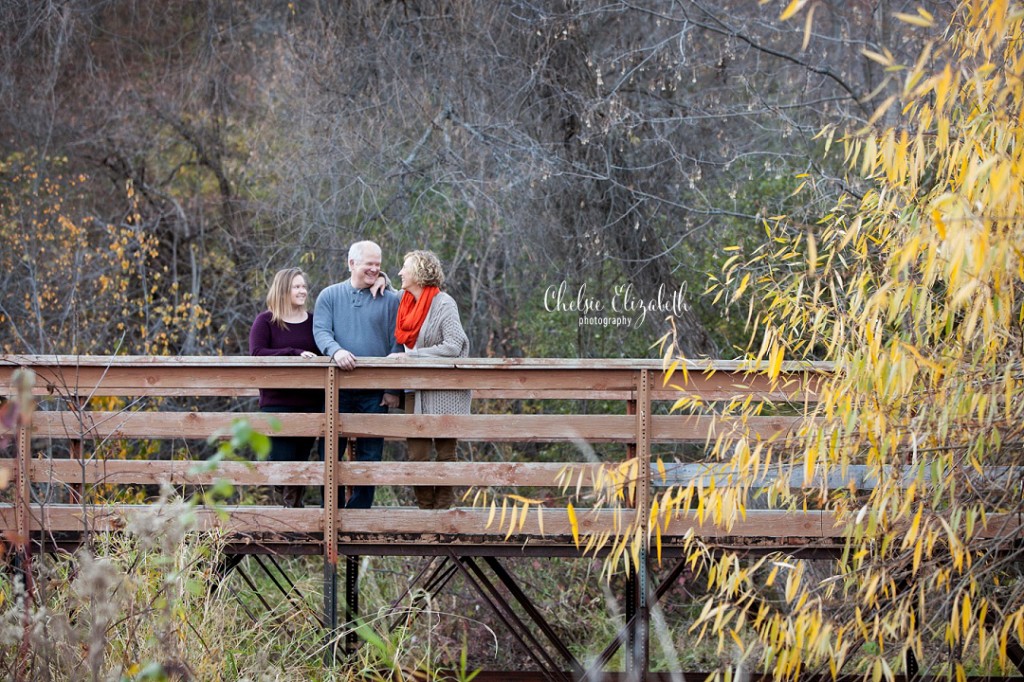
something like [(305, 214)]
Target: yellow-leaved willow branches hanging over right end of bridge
[(913, 286)]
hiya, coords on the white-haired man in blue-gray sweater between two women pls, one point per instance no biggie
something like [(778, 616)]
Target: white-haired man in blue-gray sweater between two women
[(351, 322)]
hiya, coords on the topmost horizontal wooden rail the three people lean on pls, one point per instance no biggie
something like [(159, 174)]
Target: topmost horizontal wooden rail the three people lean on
[(89, 376)]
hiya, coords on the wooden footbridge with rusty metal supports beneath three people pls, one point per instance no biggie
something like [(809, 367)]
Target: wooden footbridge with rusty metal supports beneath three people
[(54, 504)]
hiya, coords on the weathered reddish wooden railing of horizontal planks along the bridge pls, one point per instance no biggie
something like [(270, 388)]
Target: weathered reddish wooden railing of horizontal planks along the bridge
[(70, 389)]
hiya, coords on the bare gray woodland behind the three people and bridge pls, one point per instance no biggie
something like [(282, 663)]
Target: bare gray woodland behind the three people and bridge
[(161, 161)]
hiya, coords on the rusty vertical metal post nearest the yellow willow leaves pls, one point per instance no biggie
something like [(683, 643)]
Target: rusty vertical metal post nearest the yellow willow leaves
[(639, 634)]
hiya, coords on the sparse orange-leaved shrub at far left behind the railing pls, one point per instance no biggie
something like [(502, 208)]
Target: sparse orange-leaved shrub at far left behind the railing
[(74, 284)]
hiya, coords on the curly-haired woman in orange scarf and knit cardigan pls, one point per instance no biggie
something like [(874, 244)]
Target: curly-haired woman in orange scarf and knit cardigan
[(429, 326)]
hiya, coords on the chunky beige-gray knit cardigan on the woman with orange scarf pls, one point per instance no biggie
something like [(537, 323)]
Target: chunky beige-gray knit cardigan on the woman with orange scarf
[(442, 336)]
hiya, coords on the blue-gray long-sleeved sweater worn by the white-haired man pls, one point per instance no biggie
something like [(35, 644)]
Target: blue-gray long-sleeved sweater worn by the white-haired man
[(352, 319)]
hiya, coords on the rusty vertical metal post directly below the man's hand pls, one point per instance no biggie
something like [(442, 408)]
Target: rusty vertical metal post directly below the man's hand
[(330, 511)]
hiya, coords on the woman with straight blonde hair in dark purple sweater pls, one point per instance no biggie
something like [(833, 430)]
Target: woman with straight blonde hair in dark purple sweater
[(286, 328)]
